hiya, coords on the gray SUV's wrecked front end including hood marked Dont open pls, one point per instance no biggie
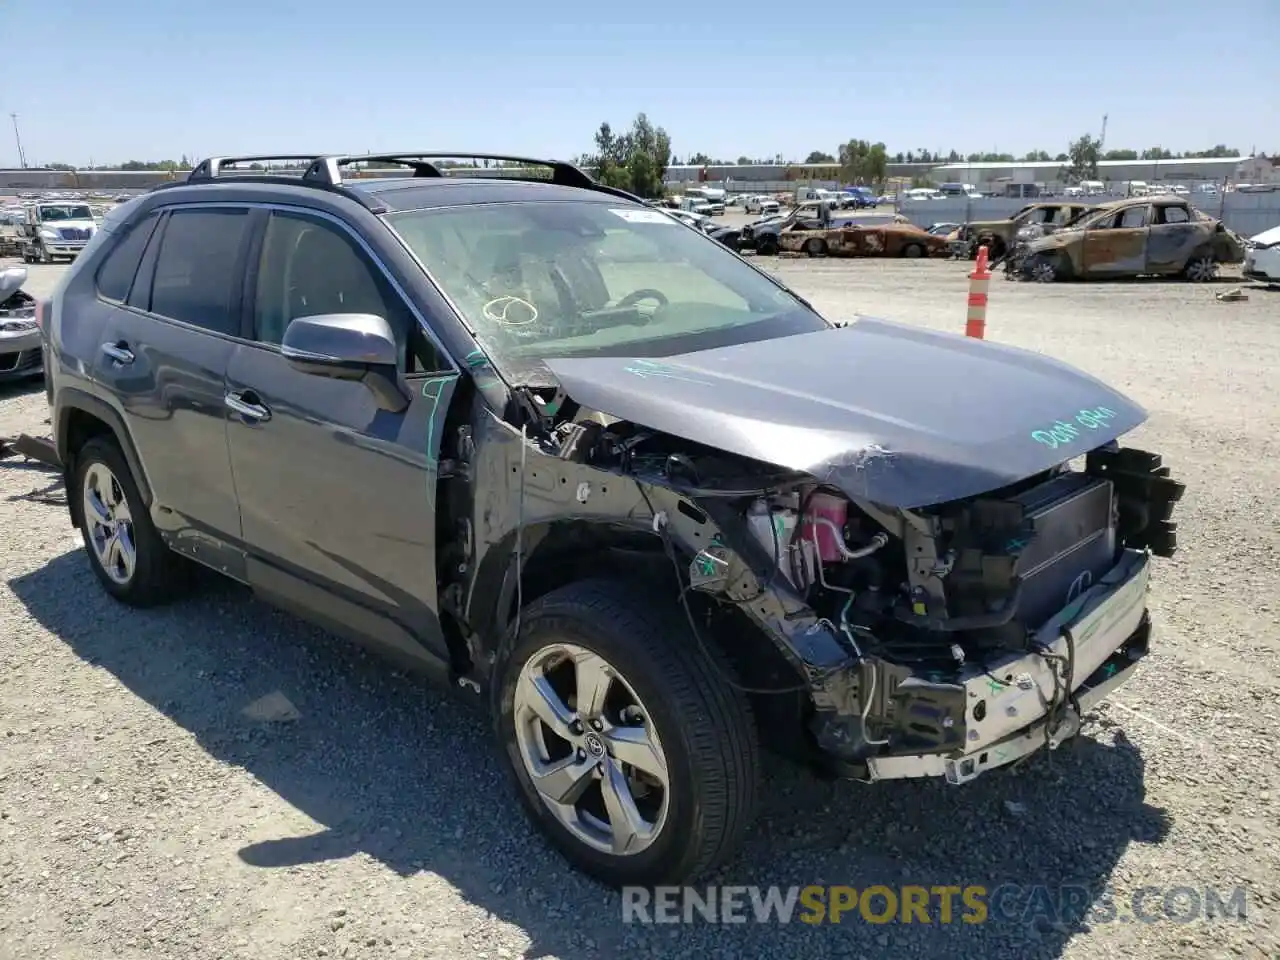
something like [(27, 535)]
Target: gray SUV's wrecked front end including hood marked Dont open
[(927, 588)]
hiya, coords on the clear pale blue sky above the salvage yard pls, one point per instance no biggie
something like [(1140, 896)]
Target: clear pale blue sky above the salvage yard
[(152, 80)]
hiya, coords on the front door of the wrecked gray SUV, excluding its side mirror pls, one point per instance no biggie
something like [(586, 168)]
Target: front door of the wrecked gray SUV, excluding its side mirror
[(337, 495)]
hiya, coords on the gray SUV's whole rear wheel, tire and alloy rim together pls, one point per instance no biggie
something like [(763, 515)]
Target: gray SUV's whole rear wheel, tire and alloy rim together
[(125, 550)]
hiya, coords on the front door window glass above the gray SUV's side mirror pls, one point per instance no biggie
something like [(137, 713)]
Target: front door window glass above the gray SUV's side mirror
[(312, 267)]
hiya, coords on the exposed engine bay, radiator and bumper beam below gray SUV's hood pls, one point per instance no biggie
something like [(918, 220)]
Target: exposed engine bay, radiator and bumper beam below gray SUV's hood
[(944, 641)]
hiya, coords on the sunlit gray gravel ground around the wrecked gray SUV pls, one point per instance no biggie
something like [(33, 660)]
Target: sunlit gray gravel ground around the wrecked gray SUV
[(143, 815)]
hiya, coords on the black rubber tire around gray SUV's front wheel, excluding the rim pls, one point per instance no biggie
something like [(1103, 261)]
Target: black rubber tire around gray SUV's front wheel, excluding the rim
[(706, 728)]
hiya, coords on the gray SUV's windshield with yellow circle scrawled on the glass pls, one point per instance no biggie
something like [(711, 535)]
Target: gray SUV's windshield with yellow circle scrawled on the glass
[(556, 280)]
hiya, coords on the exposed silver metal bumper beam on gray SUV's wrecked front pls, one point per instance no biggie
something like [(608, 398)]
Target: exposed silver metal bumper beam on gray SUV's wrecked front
[(1013, 707)]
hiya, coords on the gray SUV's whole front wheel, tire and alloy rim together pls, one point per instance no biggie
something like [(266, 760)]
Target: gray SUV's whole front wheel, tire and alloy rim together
[(629, 747)]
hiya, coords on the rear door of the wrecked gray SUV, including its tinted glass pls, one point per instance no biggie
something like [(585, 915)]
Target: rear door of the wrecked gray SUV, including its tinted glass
[(166, 345)]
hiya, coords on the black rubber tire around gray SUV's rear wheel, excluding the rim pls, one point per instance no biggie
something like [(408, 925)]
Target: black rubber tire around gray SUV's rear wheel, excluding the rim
[(159, 574)]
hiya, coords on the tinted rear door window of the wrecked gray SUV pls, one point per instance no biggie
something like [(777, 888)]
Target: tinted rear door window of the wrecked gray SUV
[(199, 275)]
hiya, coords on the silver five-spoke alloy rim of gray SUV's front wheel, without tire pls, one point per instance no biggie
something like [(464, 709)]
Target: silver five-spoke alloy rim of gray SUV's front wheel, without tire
[(591, 749)]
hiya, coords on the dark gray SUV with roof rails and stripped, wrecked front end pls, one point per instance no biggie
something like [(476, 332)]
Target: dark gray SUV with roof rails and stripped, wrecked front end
[(587, 465)]
